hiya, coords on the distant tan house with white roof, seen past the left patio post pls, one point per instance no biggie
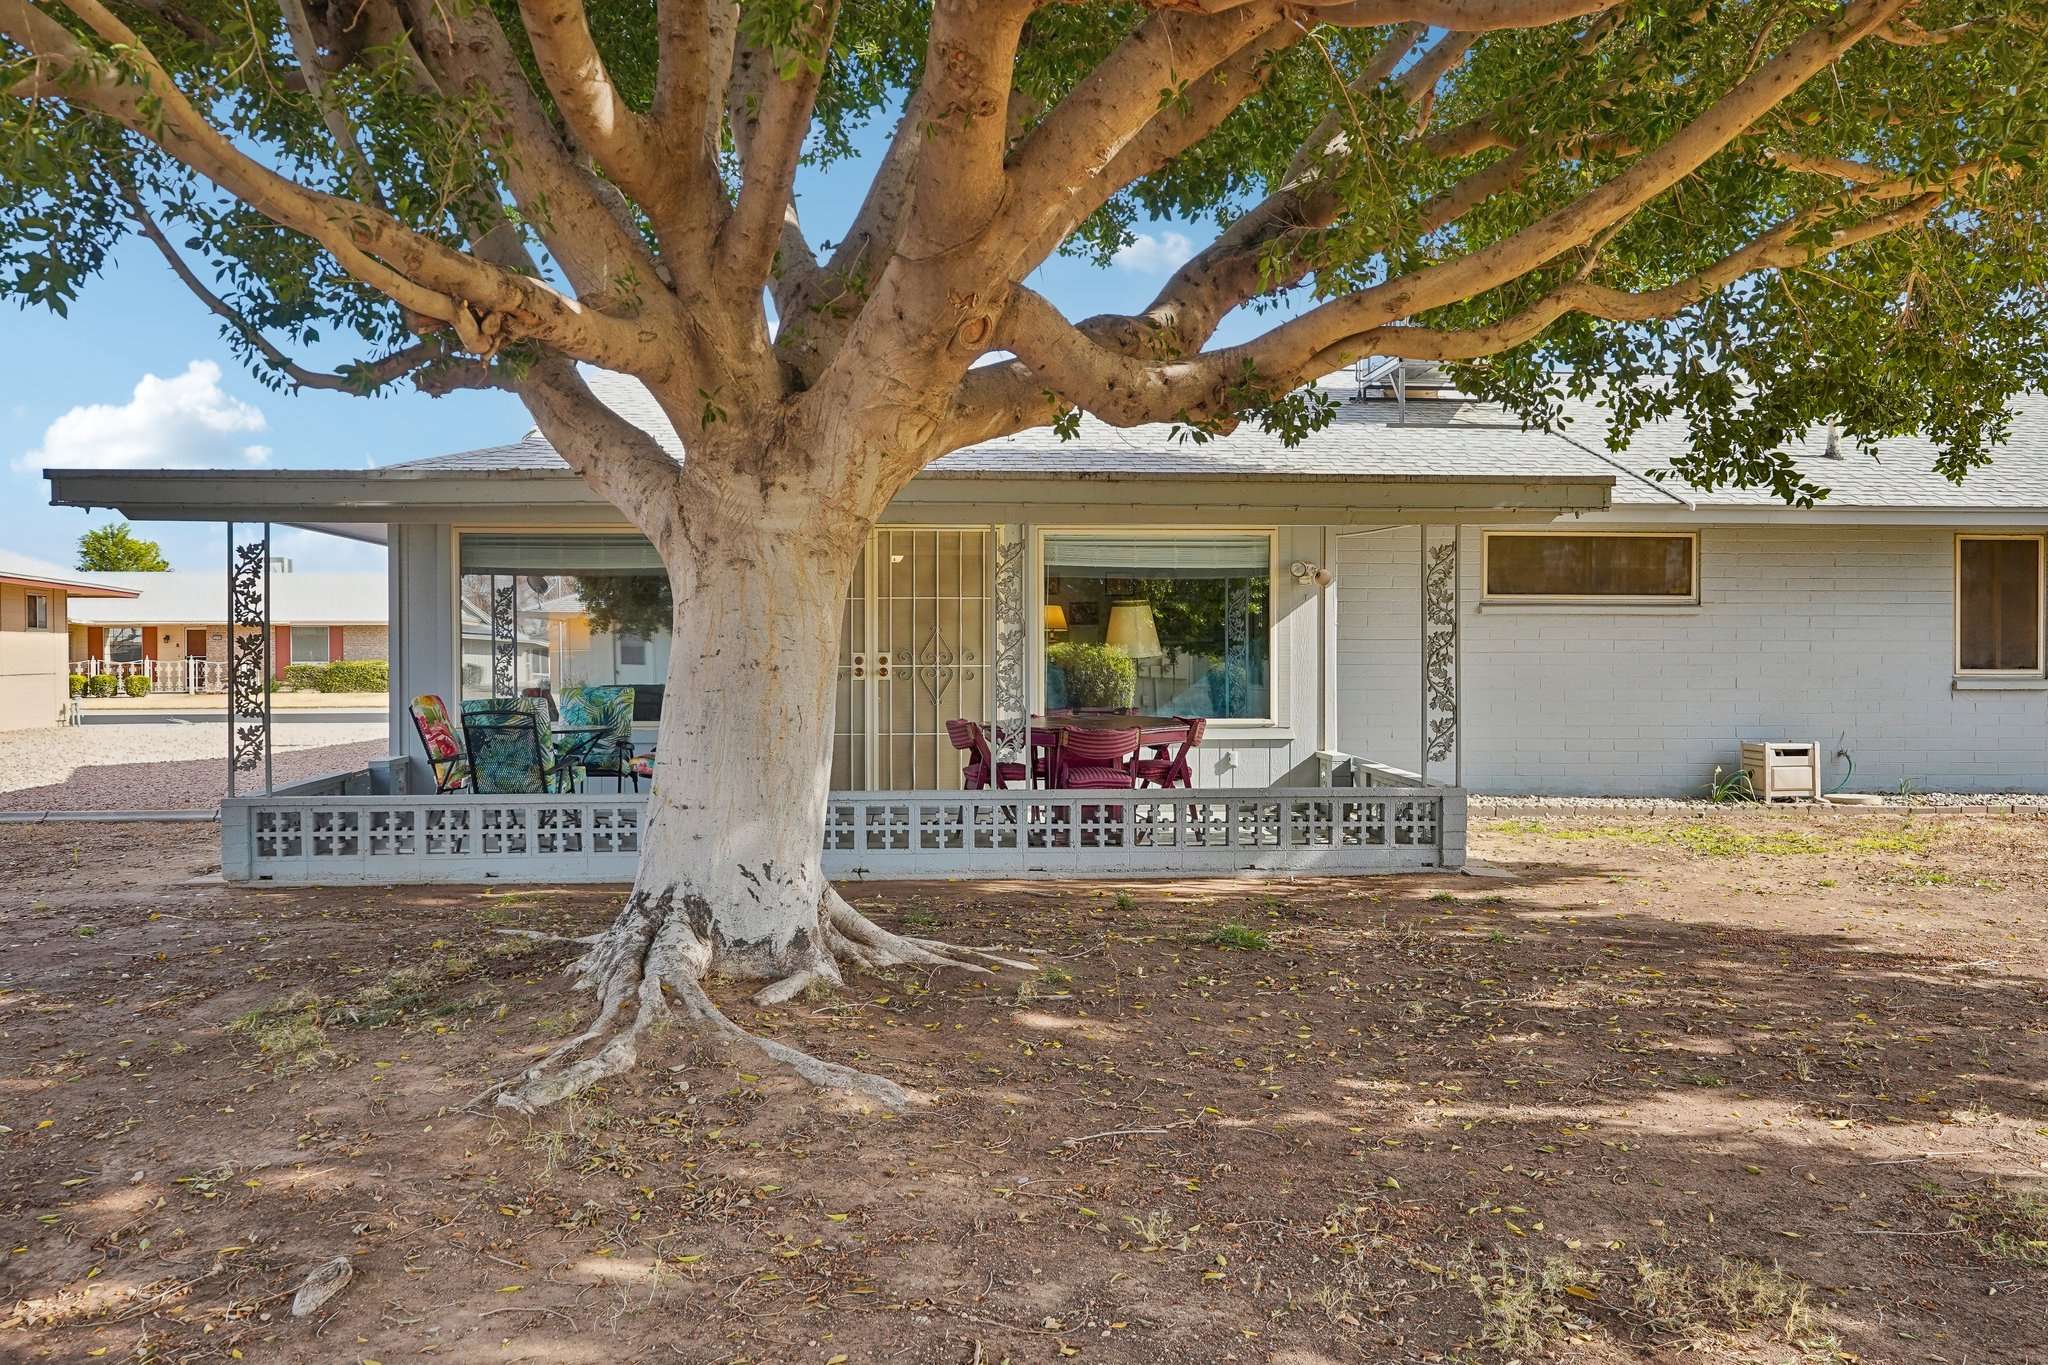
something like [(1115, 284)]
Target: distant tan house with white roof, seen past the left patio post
[(173, 627)]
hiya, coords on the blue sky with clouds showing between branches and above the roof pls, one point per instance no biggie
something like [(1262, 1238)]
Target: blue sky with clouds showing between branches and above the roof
[(138, 378)]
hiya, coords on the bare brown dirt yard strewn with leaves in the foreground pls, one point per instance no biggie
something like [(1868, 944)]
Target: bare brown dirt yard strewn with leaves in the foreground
[(1762, 1088)]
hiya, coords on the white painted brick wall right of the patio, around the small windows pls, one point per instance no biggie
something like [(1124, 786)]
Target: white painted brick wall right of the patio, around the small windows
[(1836, 635)]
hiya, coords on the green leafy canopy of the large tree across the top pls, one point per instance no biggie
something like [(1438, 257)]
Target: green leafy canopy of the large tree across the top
[(1932, 328)]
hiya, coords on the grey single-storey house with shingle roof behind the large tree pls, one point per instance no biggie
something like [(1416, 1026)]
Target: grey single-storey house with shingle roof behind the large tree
[(1424, 584)]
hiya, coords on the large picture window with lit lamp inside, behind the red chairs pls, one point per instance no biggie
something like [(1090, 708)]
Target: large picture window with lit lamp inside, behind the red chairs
[(1162, 625)]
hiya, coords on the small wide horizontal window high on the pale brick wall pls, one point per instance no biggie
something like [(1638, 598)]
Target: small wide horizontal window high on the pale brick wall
[(1592, 568)]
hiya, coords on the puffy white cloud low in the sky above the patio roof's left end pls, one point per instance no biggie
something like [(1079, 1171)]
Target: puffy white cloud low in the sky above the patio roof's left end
[(181, 423)]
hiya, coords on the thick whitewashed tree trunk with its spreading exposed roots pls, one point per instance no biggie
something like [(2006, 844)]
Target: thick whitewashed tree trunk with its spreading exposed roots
[(730, 879)]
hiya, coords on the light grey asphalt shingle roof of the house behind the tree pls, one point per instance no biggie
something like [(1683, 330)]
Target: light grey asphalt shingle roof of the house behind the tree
[(1424, 439)]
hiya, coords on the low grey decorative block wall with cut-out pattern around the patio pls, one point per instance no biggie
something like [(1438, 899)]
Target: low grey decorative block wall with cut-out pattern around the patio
[(333, 836)]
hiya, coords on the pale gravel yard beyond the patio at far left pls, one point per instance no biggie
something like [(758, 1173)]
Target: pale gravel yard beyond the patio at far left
[(161, 766)]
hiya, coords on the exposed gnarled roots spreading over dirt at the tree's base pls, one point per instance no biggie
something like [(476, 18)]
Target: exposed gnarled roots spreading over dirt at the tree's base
[(652, 955)]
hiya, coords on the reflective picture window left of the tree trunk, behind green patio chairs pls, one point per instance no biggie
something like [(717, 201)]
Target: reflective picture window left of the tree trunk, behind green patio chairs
[(564, 611)]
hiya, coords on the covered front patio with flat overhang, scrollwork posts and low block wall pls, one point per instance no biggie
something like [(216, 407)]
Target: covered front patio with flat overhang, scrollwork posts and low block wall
[(988, 595)]
